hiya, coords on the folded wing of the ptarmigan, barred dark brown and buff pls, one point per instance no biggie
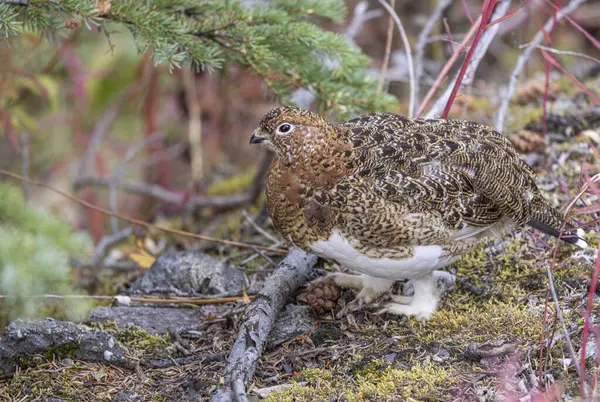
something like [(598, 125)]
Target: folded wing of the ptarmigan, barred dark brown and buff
[(465, 170)]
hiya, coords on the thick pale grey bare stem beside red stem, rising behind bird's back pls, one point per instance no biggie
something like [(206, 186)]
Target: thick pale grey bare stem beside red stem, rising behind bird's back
[(469, 73)]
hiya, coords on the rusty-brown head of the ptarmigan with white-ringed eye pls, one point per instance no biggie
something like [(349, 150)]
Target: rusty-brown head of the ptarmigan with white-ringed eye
[(290, 132)]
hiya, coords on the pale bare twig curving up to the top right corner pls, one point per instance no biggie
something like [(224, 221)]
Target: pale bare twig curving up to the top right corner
[(522, 61)]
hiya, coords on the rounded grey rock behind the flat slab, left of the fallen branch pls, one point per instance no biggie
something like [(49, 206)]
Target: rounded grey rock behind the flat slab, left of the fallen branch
[(191, 272)]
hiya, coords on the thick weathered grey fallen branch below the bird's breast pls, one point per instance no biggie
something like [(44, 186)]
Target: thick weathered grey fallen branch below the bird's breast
[(260, 317)]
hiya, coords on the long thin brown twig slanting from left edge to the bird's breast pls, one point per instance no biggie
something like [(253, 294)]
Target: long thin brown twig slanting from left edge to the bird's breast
[(138, 221)]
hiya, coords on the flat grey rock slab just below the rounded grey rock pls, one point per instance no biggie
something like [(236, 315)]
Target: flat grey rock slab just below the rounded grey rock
[(155, 320)]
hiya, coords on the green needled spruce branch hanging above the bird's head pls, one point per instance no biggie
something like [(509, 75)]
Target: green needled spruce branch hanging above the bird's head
[(278, 41)]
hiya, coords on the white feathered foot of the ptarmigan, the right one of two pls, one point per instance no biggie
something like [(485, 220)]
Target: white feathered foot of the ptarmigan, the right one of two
[(427, 293)]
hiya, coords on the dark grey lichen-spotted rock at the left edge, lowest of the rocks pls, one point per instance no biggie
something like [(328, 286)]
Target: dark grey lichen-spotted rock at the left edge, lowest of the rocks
[(23, 338)]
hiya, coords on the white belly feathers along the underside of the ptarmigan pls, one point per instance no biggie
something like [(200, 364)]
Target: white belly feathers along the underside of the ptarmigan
[(425, 259)]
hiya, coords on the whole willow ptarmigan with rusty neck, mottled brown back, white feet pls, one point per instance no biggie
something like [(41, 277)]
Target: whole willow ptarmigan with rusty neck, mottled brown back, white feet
[(396, 198)]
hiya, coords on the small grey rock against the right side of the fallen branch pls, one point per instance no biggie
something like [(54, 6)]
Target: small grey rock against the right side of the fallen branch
[(292, 321)]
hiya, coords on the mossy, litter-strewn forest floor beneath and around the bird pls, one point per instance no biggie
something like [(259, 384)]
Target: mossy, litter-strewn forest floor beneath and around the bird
[(495, 337)]
